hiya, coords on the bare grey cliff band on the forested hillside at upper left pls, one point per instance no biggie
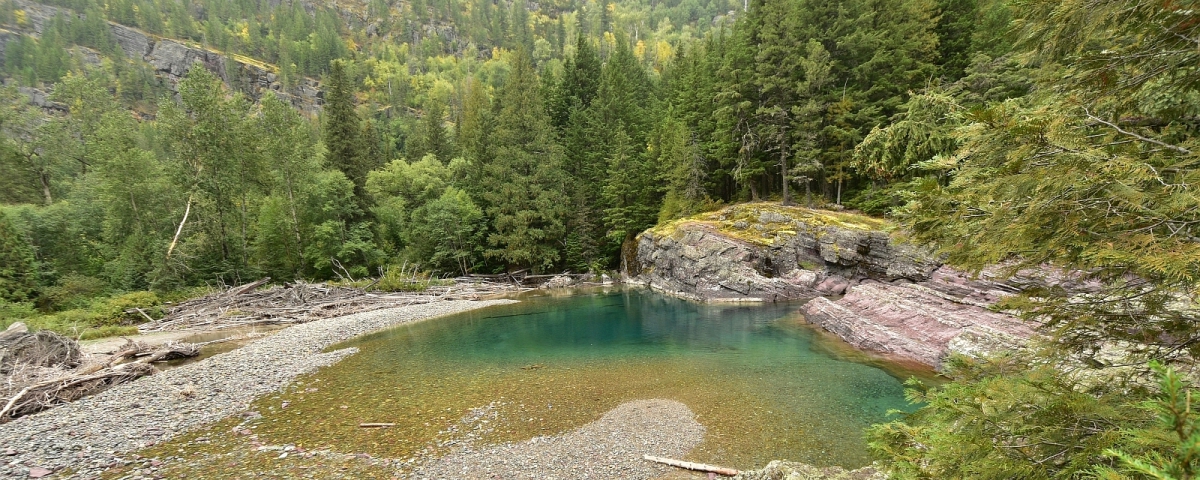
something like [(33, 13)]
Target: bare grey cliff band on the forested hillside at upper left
[(173, 59)]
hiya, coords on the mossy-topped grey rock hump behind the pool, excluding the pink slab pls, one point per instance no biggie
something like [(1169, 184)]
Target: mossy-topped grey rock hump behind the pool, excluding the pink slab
[(767, 253)]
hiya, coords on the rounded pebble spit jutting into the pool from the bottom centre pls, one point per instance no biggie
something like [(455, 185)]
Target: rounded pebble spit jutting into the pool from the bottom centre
[(610, 448)]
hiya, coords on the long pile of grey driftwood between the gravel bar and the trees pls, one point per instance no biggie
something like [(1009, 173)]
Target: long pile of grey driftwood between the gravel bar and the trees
[(301, 303)]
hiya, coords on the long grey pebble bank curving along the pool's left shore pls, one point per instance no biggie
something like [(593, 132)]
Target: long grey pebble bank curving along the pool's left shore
[(94, 434)]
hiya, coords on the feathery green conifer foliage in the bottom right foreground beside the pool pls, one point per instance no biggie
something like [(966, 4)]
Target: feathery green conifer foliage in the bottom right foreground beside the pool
[(1003, 419)]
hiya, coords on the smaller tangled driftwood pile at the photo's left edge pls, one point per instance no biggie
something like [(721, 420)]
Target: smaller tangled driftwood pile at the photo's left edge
[(43, 370)]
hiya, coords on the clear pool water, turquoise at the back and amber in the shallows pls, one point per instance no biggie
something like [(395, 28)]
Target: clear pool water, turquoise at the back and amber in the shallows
[(765, 385)]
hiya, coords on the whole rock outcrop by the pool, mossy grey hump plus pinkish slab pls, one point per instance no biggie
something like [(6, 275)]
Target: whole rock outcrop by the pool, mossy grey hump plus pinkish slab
[(896, 299)]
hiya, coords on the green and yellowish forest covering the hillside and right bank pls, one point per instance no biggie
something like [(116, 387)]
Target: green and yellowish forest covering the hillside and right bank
[(493, 136)]
